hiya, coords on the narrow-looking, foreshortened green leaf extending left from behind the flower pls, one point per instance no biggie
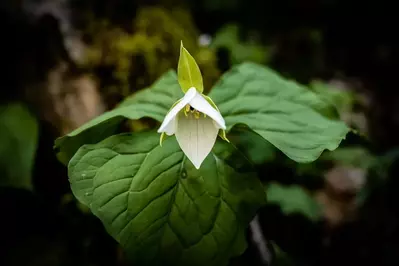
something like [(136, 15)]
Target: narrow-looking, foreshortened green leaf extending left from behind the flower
[(153, 102)]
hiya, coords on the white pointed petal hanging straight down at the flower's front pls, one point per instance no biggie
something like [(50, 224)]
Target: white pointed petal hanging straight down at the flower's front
[(196, 137)]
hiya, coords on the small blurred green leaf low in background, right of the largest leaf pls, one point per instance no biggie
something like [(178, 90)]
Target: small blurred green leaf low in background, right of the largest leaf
[(293, 199)]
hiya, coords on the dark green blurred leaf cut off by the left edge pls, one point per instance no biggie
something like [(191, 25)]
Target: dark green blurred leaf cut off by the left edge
[(18, 143)]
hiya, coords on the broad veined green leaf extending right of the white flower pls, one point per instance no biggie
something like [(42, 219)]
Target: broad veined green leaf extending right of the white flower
[(286, 114)]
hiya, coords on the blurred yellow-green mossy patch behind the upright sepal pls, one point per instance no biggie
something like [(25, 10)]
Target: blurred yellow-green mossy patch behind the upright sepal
[(127, 60)]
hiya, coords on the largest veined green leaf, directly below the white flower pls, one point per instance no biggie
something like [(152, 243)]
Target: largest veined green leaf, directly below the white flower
[(159, 207)]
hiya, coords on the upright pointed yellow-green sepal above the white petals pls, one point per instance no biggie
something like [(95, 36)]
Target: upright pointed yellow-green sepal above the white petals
[(189, 74)]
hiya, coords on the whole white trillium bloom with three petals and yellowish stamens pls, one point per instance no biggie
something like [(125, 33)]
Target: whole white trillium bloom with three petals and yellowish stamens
[(196, 124)]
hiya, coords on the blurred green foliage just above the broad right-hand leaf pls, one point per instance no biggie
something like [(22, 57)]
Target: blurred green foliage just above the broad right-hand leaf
[(240, 49)]
